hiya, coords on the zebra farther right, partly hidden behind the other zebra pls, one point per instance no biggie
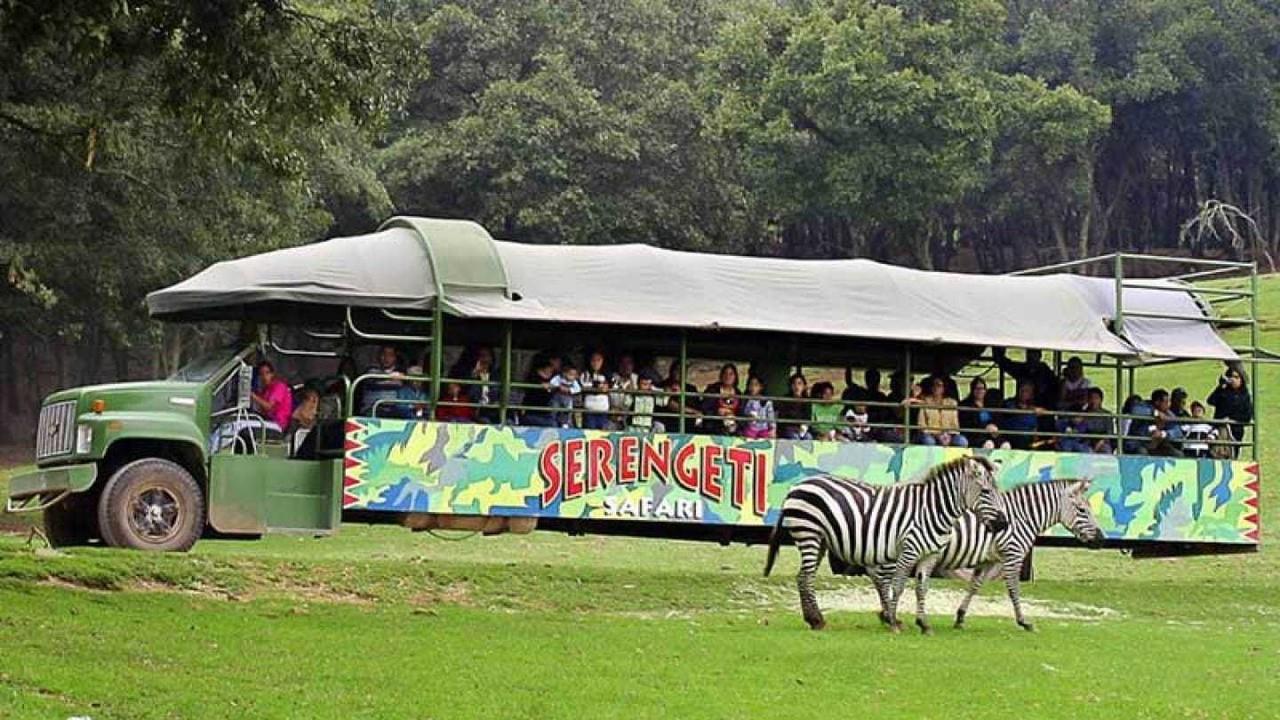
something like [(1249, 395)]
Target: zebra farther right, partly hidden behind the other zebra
[(1032, 509)]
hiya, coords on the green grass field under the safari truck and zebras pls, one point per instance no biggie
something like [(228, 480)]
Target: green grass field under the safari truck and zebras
[(383, 623)]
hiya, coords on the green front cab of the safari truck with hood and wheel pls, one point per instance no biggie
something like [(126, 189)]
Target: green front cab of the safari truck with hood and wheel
[(149, 464)]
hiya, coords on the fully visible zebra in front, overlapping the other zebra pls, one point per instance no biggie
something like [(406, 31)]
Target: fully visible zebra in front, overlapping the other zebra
[(881, 527)]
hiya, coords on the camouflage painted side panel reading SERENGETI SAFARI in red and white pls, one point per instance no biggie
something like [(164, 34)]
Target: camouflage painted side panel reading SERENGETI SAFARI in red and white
[(412, 467)]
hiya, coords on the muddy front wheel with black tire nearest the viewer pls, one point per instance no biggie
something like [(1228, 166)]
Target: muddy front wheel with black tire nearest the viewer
[(152, 504)]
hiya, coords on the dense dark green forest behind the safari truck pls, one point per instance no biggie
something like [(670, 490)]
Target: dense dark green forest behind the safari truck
[(143, 140)]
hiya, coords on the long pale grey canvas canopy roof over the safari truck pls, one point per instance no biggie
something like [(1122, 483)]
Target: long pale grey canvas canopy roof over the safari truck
[(413, 262)]
